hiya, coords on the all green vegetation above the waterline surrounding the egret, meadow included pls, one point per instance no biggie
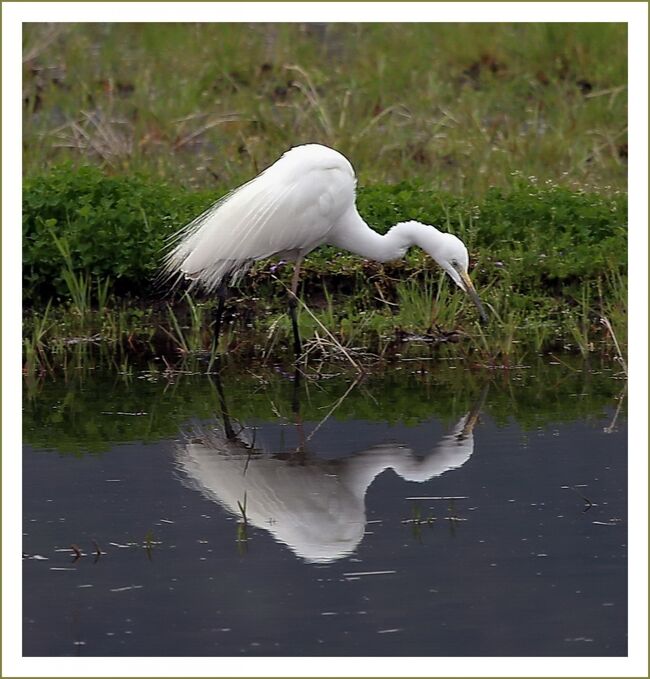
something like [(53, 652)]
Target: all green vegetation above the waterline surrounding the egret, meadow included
[(511, 136)]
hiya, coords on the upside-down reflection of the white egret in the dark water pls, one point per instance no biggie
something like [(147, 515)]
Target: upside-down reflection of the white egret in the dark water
[(315, 506)]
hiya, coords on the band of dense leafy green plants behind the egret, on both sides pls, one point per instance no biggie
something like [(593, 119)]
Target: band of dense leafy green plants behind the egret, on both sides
[(535, 239)]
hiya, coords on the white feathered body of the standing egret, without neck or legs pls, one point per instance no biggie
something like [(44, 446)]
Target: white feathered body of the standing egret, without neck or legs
[(287, 210)]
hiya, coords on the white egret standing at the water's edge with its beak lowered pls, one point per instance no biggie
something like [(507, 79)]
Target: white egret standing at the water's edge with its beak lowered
[(305, 199)]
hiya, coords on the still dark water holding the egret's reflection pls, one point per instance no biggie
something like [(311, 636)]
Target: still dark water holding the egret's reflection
[(418, 513)]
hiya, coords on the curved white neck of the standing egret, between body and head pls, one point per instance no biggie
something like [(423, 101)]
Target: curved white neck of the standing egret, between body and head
[(353, 234)]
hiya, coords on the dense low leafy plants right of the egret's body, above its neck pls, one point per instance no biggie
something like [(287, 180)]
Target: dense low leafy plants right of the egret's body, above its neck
[(542, 236)]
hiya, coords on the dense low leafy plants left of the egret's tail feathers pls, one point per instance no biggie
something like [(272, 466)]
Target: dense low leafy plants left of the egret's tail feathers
[(114, 227)]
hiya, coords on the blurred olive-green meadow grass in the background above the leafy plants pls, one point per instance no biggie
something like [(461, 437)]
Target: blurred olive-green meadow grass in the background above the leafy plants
[(459, 106)]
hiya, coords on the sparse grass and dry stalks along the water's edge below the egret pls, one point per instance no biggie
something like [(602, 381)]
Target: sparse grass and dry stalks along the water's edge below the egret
[(428, 318)]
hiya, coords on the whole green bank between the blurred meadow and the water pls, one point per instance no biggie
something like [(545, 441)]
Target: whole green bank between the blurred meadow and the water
[(549, 262)]
